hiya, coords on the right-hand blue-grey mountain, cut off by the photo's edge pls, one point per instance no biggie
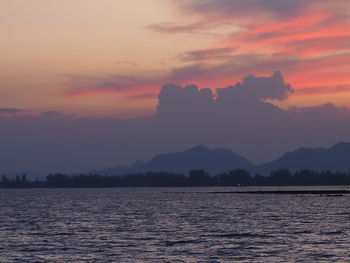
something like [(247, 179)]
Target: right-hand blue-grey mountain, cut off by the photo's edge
[(335, 159)]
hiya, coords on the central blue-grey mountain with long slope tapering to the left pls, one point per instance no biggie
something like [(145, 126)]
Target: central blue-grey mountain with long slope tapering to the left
[(199, 157)]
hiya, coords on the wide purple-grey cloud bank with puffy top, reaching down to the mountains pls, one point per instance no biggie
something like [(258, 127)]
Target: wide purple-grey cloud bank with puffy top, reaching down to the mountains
[(240, 117)]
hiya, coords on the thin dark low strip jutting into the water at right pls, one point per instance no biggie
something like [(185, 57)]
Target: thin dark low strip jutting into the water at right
[(289, 192)]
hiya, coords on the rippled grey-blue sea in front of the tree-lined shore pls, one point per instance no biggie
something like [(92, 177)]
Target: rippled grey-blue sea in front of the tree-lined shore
[(172, 225)]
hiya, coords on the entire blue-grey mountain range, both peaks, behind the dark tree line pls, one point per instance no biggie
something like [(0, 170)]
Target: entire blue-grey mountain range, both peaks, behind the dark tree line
[(336, 159)]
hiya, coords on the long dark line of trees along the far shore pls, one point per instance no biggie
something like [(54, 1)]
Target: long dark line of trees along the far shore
[(195, 178)]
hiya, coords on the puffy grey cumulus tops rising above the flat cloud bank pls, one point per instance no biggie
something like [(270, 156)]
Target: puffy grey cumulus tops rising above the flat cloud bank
[(253, 90)]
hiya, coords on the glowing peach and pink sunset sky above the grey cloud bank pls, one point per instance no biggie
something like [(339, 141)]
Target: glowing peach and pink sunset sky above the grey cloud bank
[(110, 58)]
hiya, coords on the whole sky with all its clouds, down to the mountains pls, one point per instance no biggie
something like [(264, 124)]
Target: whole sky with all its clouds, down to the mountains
[(88, 84)]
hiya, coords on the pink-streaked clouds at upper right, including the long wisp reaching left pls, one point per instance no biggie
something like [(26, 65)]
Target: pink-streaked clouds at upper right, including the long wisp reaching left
[(307, 40)]
